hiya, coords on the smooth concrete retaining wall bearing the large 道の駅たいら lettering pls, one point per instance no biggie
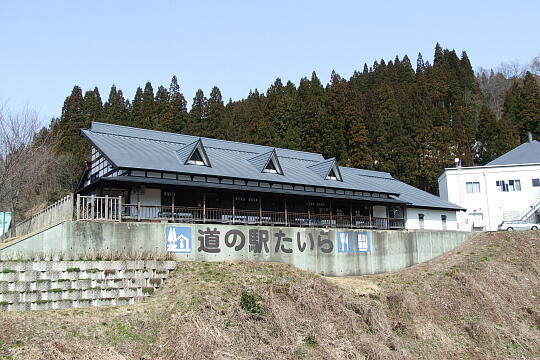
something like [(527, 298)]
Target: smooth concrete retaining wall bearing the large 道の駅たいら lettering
[(333, 252)]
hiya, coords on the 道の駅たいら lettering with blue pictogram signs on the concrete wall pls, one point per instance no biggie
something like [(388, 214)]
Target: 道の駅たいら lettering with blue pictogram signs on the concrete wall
[(214, 239)]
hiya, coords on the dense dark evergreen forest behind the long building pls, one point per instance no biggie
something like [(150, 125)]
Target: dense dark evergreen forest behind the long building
[(409, 120)]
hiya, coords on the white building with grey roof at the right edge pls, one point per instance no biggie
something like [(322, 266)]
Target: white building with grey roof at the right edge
[(507, 188)]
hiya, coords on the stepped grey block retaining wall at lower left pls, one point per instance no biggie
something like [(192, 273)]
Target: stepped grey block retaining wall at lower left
[(43, 285)]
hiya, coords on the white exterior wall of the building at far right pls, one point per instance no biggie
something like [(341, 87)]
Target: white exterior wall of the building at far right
[(494, 206)]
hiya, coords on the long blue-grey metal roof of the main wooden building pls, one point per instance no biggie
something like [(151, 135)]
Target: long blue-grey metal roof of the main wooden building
[(132, 148)]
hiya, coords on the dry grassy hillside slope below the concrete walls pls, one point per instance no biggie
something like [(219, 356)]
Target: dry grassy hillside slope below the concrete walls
[(478, 301)]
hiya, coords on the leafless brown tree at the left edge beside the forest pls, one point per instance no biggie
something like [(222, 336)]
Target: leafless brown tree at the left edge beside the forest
[(24, 159)]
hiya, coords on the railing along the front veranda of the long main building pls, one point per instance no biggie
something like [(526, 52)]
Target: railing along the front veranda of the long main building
[(112, 209)]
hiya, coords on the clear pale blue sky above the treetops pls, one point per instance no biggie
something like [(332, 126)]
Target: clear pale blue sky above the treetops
[(47, 47)]
